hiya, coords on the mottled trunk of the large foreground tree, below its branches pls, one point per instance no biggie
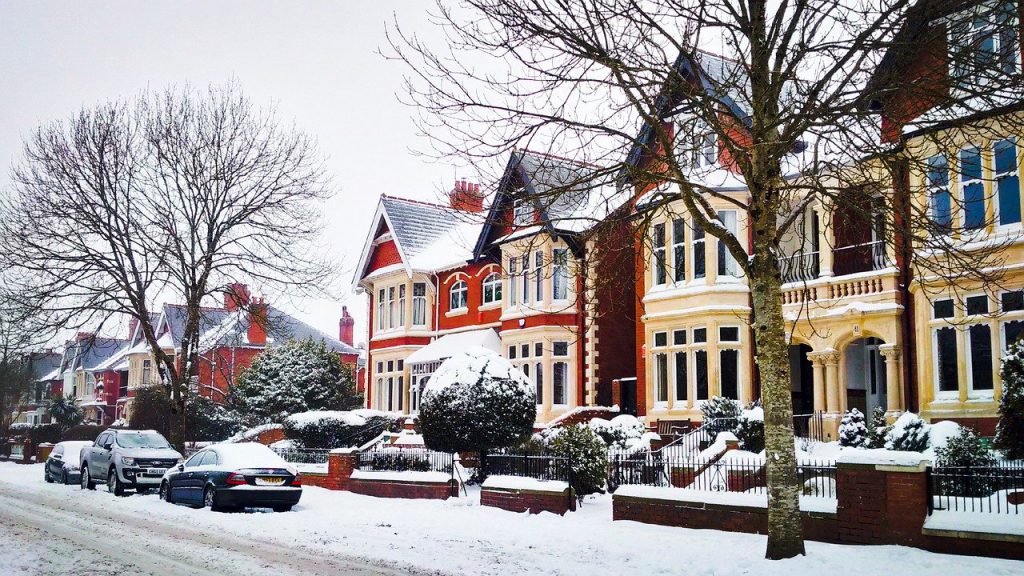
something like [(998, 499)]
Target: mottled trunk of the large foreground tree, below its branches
[(786, 538)]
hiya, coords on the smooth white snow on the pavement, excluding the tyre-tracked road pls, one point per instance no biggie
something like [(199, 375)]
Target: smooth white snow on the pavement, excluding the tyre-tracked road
[(461, 538)]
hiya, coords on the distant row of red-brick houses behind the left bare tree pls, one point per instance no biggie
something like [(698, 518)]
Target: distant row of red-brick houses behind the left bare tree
[(103, 375)]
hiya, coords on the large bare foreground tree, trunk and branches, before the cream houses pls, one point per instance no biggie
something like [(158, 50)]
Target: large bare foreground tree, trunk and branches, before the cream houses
[(789, 92)]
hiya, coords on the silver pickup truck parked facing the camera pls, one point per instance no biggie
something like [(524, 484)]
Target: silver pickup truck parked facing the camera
[(125, 460)]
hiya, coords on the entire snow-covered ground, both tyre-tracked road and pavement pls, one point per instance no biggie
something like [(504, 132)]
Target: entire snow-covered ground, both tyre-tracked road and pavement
[(54, 529)]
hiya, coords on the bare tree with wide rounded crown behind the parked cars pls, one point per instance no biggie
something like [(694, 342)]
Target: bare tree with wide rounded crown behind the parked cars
[(172, 195)]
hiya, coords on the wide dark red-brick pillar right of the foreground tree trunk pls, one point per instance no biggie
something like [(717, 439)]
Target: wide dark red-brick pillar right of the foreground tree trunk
[(881, 504)]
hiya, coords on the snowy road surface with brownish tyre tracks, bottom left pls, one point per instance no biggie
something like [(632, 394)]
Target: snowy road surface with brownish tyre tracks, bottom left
[(54, 534)]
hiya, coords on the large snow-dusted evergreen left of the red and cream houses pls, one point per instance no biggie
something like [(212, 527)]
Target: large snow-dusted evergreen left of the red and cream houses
[(297, 377)]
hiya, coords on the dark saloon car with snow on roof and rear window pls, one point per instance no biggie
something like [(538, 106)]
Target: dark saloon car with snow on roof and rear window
[(229, 477)]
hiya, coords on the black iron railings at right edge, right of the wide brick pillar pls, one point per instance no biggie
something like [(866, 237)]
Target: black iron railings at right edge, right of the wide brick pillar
[(998, 489)]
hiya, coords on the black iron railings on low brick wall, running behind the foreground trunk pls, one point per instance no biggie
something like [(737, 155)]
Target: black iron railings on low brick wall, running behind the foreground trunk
[(818, 479)]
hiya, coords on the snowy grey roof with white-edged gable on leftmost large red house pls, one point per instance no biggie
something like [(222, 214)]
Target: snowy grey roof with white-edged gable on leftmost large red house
[(429, 237)]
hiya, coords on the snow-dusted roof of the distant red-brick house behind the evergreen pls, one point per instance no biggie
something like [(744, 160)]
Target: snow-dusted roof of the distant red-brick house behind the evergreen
[(234, 332)]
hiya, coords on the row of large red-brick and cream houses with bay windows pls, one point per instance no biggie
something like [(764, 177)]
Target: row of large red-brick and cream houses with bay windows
[(656, 322)]
